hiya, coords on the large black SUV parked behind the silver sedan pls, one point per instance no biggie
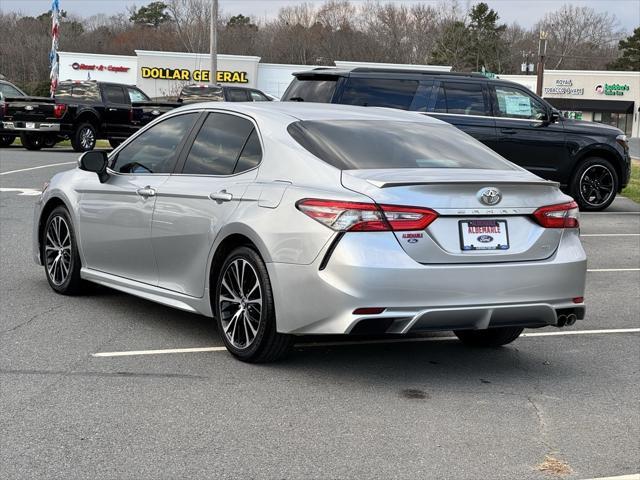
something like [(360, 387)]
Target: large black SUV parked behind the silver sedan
[(590, 160)]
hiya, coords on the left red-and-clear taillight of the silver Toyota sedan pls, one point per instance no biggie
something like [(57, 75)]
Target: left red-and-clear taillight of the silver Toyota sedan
[(366, 217)]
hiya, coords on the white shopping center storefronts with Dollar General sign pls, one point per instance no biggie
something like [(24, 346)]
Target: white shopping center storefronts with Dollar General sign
[(610, 97)]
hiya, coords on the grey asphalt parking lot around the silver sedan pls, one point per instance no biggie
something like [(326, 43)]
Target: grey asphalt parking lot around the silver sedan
[(422, 408)]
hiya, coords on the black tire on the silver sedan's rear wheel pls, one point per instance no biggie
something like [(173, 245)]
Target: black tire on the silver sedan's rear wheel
[(267, 345)]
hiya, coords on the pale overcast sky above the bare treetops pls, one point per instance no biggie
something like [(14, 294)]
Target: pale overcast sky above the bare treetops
[(524, 12)]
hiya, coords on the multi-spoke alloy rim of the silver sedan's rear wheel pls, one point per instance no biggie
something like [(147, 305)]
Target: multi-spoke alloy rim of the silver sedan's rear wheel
[(240, 303)]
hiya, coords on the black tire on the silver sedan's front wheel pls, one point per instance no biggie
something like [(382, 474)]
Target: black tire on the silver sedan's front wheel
[(68, 283)]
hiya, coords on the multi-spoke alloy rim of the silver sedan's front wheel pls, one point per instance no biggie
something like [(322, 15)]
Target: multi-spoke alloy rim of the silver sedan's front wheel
[(57, 250)]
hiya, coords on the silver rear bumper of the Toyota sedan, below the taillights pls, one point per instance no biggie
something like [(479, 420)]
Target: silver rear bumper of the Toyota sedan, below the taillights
[(372, 270)]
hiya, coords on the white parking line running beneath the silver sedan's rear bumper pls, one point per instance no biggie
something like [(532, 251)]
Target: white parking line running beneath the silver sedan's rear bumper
[(364, 342)]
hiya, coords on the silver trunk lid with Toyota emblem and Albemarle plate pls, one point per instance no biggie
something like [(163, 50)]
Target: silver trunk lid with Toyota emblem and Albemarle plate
[(467, 230)]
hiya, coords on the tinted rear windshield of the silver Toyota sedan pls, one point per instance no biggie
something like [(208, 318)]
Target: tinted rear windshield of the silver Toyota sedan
[(358, 144)]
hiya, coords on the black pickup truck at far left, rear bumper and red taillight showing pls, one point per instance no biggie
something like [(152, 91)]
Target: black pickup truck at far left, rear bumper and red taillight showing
[(81, 111)]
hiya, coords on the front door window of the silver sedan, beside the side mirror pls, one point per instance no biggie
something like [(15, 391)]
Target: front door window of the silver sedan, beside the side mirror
[(155, 150)]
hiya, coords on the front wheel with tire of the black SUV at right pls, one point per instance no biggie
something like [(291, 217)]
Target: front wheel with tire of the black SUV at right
[(594, 184)]
